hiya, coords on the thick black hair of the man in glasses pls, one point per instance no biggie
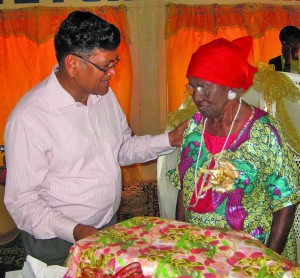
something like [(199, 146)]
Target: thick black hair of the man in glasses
[(82, 33)]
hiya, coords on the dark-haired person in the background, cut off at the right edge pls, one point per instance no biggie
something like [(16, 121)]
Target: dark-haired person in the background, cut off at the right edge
[(289, 61)]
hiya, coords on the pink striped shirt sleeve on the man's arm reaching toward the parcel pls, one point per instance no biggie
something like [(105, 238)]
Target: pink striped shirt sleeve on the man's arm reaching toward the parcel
[(27, 165)]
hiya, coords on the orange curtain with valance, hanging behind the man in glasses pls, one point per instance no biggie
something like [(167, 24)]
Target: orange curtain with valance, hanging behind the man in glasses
[(27, 56)]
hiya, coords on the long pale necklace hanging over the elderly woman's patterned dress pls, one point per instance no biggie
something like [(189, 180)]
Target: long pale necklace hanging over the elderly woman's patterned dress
[(199, 194)]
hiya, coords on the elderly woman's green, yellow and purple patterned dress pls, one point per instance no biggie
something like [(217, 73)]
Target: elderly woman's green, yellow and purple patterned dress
[(265, 182)]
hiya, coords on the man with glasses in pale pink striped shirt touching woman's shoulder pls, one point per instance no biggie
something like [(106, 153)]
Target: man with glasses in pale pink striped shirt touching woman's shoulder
[(66, 139)]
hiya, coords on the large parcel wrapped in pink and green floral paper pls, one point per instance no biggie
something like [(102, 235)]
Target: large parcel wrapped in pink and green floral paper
[(169, 248)]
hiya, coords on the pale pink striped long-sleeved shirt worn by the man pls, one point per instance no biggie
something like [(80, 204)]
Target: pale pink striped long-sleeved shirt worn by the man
[(63, 160)]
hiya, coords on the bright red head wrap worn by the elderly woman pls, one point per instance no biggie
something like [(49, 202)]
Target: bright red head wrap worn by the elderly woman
[(224, 63)]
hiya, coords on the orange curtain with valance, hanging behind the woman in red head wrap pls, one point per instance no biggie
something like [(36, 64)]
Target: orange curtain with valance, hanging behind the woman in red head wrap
[(189, 26)]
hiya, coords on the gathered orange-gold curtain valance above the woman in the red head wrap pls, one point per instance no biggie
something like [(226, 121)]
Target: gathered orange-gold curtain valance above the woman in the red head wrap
[(256, 19)]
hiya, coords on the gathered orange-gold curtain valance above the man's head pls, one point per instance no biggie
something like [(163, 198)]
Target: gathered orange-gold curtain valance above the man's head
[(41, 23)]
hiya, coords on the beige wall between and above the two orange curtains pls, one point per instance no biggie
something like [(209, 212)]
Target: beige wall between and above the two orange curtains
[(146, 21)]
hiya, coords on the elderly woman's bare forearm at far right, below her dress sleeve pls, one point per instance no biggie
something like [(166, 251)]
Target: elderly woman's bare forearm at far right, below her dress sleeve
[(282, 222)]
